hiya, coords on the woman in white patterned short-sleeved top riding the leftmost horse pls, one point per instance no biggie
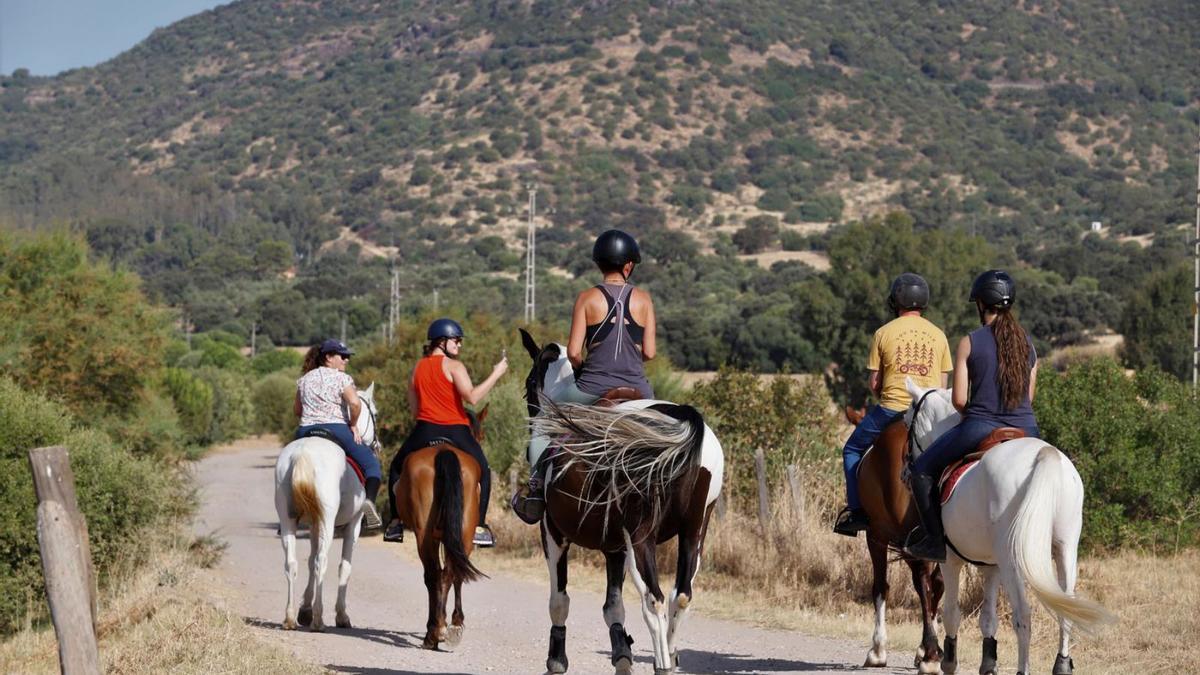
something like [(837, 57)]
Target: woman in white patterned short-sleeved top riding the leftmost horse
[(322, 392)]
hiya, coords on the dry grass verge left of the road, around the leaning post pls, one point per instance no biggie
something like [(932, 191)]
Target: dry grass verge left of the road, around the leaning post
[(163, 622)]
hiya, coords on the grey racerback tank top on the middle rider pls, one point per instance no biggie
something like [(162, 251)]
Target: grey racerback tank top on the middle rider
[(614, 359)]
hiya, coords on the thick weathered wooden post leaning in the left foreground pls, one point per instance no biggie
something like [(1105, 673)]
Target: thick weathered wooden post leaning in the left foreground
[(67, 561)]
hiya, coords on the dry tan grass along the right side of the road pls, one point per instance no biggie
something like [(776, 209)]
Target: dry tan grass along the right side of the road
[(802, 577)]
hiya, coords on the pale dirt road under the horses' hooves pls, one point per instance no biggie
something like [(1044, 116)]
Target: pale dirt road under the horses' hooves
[(507, 619)]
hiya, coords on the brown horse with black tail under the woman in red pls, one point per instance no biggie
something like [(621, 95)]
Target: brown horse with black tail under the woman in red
[(437, 495)]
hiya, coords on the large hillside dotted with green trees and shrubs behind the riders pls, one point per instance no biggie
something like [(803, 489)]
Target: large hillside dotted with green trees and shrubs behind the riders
[(267, 163)]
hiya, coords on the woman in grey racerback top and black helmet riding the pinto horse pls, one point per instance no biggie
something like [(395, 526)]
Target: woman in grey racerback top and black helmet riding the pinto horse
[(615, 322)]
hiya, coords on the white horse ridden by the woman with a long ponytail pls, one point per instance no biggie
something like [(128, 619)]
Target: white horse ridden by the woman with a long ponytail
[(1019, 511)]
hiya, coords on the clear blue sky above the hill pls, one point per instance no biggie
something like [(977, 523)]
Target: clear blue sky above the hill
[(50, 37)]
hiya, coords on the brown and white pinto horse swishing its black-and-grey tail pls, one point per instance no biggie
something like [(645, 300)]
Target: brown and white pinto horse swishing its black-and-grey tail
[(623, 480)]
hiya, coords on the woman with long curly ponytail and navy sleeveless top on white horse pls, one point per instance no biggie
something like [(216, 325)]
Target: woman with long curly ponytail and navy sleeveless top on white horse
[(995, 377)]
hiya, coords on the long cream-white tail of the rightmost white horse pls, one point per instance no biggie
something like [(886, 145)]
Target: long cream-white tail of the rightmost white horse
[(1030, 540)]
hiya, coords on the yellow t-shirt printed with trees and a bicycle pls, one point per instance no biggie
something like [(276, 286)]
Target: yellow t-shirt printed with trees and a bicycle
[(909, 347)]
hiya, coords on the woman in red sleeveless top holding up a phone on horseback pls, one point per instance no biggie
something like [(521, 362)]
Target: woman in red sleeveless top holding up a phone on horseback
[(436, 393)]
